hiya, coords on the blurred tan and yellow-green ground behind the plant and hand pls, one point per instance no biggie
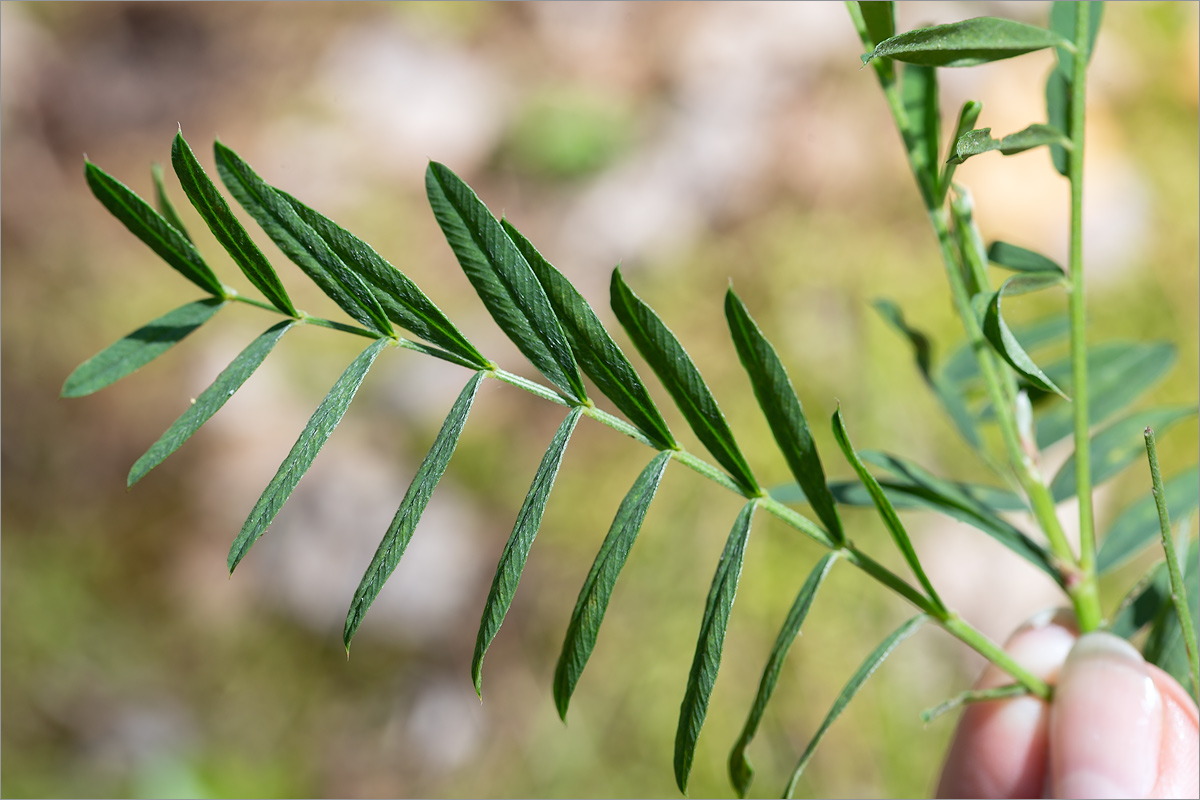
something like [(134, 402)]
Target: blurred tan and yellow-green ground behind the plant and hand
[(697, 145)]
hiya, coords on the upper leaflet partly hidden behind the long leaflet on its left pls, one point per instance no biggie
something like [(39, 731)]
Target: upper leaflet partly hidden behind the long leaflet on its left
[(401, 300)]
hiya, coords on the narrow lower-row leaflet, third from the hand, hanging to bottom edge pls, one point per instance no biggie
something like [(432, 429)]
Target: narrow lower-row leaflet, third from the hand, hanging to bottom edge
[(707, 660)]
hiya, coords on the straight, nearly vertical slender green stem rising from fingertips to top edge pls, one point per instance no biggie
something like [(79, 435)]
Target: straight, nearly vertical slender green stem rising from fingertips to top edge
[(1089, 612)]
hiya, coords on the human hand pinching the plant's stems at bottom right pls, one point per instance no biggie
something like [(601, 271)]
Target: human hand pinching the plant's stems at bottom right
[(1118, 727)]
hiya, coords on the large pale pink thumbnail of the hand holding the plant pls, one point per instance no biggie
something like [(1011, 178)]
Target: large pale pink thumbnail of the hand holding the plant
[(1106, 723)]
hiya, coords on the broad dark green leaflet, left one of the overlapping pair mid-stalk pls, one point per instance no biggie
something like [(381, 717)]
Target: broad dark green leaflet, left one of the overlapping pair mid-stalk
[(502, 279)]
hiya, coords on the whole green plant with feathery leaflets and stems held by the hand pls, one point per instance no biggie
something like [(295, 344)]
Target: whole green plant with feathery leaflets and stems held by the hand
[(1005, 405)]
